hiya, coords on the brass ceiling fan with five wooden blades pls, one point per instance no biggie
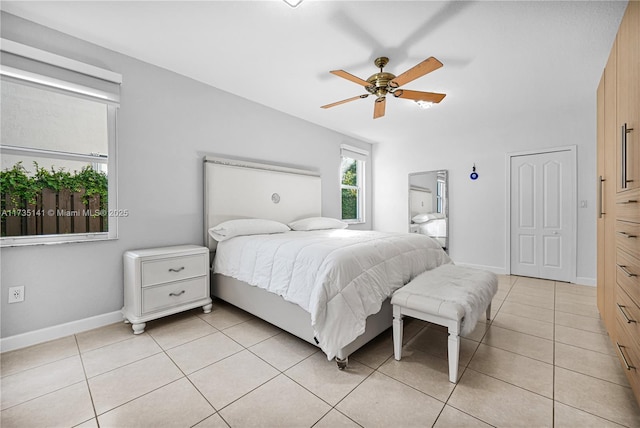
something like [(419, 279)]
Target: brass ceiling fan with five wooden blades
[(381, 84)]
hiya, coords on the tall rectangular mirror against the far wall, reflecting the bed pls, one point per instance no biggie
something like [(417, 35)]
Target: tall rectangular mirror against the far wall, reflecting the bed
[(429, 205)]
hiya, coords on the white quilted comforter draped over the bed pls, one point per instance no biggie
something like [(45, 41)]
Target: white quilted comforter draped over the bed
[(339, 276)]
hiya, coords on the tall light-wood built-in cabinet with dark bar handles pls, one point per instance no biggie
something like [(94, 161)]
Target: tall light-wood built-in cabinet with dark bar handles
[(618, 182)]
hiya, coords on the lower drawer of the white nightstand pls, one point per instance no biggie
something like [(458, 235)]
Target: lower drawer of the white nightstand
[(175, 293)]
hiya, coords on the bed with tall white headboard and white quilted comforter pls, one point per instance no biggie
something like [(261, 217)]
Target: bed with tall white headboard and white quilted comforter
[(240, 190)]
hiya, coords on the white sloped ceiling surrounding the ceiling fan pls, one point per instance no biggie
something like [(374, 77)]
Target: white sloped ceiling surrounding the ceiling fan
[(501, 59)]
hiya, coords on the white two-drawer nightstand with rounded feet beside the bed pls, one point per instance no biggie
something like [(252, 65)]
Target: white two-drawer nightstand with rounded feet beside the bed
[(163, 281)]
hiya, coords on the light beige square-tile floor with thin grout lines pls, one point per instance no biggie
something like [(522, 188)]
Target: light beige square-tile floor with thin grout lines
[(543, 360)]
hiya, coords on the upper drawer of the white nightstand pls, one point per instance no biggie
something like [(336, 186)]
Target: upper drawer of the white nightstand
[(173, 269)]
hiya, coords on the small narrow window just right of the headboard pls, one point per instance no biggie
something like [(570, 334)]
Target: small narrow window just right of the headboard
[(352, 175)]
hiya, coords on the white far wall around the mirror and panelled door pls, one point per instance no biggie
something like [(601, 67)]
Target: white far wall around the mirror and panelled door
[(477, 209)]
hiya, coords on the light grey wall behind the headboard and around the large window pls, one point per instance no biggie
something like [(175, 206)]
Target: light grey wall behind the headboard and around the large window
[(166, 124)]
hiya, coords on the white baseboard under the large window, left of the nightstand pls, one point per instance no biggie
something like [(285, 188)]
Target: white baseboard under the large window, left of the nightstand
[(57, 331)]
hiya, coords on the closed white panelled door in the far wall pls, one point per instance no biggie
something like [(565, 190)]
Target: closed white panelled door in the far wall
[(542, 215)]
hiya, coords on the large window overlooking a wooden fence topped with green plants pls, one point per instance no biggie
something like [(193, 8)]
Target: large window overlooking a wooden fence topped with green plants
[(58, 141)]
